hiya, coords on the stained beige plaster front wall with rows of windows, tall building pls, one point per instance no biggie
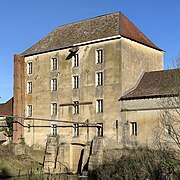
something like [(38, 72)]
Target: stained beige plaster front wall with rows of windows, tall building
[(42, 96)]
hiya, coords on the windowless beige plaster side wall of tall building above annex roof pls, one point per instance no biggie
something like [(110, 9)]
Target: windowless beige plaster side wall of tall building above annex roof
[(136, 59)]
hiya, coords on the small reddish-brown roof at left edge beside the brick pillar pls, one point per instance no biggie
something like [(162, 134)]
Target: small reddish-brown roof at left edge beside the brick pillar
[(7, 108)]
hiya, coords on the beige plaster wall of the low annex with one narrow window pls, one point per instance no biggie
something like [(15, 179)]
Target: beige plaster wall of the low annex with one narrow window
[(148, 115)]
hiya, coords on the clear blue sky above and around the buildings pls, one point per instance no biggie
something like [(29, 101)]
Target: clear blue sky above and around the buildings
[(24, 22)]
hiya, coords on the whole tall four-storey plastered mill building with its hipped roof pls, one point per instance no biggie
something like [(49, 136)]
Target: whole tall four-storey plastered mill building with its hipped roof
[(67, 87)]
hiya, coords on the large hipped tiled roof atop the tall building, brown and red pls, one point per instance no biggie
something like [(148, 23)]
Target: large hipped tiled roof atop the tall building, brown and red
[(91, 29)]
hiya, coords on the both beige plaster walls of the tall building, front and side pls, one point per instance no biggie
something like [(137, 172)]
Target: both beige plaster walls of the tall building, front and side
[(121, 72)]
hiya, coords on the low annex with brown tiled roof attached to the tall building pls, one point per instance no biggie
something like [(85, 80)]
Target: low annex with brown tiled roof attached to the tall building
[(150, 110)]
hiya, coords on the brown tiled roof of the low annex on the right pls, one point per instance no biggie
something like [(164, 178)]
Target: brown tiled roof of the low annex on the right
[(156, 84)]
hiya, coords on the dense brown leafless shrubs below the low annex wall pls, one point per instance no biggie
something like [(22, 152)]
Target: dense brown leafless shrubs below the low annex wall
[(140, 164)]
